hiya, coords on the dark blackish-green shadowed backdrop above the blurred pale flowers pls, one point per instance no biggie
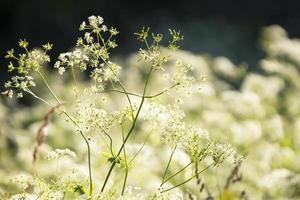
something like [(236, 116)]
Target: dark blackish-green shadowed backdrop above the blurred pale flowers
[(229, 28)]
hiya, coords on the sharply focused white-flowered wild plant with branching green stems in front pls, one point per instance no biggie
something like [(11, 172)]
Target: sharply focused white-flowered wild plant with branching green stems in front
[(90, 115)]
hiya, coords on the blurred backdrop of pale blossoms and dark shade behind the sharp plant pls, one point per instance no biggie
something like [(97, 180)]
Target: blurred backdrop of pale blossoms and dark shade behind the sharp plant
[(250, 98)]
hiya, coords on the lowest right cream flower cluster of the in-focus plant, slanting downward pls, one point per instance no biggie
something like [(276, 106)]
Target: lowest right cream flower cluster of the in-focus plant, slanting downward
[(175, 131)]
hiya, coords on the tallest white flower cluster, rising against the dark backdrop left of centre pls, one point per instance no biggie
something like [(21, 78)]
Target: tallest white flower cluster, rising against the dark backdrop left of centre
[(92, 50)]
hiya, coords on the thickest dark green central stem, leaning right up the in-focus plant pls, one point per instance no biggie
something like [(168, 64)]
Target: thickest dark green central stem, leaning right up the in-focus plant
[(130, 131)]
